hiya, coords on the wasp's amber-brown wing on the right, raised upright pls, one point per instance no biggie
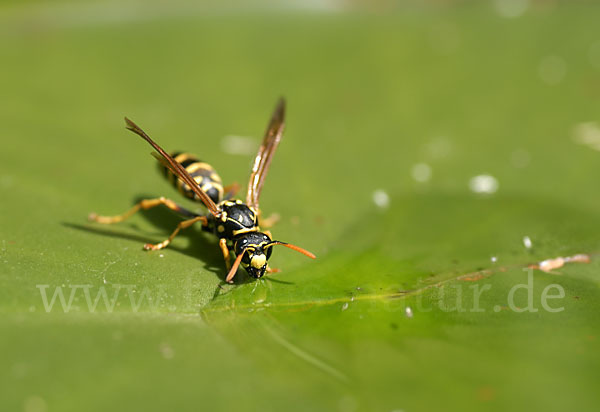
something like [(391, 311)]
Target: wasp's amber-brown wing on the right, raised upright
[(265, 154)]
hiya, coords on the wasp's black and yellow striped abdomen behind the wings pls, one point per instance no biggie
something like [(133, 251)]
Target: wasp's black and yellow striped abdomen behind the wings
[(203, 173)]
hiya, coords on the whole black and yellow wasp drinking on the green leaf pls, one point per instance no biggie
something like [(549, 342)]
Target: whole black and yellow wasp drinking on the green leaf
[(234, 222)]
